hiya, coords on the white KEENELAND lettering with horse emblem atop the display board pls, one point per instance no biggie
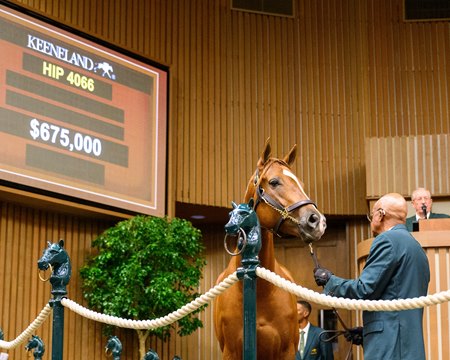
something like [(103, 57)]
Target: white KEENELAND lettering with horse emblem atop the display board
[(70, 57)]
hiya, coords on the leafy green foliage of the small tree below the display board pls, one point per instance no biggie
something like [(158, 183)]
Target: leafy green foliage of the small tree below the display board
[(146, 267)]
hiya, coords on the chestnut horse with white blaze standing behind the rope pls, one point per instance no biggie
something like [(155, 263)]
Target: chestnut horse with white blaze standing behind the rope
[(284, 209)]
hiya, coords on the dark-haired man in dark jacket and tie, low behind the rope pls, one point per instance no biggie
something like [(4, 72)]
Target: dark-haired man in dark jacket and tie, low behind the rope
[(311, 348)]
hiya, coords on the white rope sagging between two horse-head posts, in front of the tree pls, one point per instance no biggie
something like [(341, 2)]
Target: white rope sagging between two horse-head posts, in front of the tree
[(156, 323)]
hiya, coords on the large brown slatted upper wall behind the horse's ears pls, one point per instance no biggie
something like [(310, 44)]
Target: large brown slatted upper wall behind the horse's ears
[(325, 79)]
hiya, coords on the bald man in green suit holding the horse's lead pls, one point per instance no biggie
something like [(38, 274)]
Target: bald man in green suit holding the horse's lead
[(396, 268)]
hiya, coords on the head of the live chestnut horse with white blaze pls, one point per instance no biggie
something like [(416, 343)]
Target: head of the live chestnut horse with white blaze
[(280, 200)]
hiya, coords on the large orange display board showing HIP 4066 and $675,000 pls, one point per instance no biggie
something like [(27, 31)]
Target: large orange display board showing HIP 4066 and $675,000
[(80, 119)]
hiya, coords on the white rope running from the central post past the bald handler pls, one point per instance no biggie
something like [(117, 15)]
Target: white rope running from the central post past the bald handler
[(352, 304)]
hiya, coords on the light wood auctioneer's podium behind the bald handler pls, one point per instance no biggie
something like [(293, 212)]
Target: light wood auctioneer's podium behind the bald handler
[(434, 236)]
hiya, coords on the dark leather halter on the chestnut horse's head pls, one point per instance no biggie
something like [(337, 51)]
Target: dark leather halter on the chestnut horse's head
[(284, 211)]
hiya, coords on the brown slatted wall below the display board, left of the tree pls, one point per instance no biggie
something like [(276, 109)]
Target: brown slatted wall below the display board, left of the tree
[(24, 233)]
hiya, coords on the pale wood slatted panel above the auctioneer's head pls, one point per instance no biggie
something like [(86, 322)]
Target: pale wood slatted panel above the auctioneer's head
[(401, 164)]
